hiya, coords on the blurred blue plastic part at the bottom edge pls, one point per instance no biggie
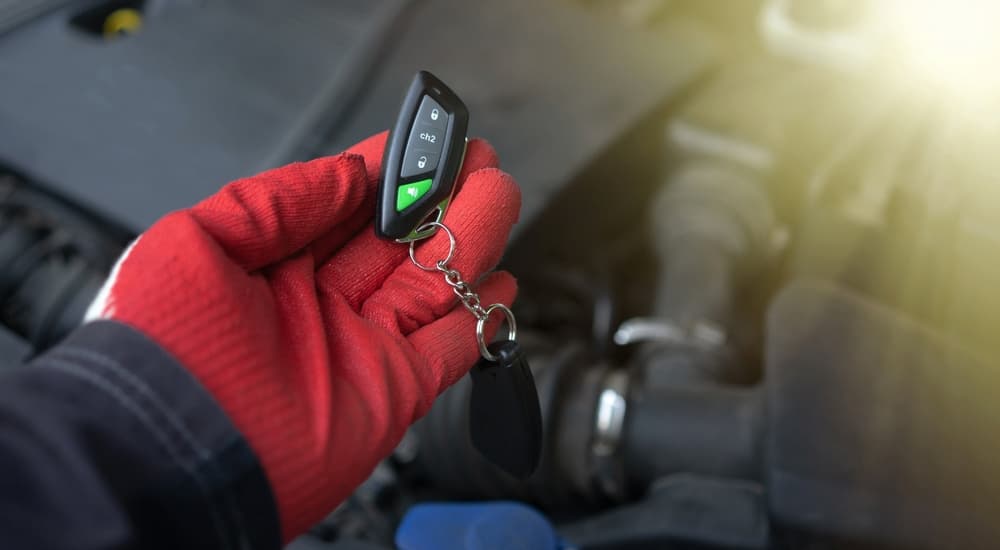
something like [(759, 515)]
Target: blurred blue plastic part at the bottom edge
[(475, 526)]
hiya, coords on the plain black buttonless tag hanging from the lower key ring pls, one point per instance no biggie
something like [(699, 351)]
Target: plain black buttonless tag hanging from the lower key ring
[(505, 419)]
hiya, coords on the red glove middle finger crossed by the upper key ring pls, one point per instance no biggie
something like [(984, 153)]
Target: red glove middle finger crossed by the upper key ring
[(480, 218)]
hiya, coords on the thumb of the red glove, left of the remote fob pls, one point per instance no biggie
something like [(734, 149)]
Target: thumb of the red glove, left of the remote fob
[(265, 218)]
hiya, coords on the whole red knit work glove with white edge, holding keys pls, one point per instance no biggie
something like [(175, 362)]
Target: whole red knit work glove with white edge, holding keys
[(321, 342)]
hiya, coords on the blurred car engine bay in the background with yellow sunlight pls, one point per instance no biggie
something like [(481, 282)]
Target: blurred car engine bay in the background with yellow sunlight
[(756, 256)]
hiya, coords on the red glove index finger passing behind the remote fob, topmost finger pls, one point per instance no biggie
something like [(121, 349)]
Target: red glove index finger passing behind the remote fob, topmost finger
[(362, 265)]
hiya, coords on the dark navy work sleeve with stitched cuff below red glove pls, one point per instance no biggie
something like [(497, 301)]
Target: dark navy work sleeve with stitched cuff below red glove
[(106, 442)]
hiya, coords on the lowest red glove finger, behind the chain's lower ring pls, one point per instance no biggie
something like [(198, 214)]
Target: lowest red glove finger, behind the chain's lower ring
[(449, 344)]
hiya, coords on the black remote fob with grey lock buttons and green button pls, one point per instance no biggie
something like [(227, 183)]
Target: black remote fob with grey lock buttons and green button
[(422, 159)]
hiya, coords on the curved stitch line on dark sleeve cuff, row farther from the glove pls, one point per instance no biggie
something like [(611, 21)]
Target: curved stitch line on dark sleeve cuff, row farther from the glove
[(139, 414)]
